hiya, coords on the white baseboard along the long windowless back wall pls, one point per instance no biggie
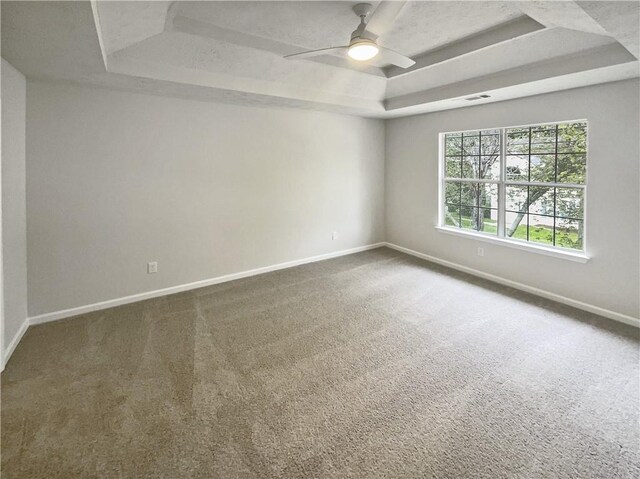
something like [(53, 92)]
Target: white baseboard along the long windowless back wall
[(67, 313)]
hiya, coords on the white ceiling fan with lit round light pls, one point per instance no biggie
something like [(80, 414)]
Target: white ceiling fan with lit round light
[(363, 46)]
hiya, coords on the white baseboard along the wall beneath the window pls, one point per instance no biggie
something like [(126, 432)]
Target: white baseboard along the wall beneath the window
[(623, 318)]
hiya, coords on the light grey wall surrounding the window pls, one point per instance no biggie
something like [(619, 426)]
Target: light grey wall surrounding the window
[(610, 279)]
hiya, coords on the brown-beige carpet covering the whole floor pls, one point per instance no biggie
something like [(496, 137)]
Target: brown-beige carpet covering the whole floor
[(370, 365)]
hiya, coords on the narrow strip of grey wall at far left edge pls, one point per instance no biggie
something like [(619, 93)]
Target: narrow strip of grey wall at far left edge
[(14, 240)]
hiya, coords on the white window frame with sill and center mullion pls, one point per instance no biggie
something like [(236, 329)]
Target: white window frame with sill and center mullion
[(500, 238)]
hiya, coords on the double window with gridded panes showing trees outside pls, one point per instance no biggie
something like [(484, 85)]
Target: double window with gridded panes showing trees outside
[(525, 184)]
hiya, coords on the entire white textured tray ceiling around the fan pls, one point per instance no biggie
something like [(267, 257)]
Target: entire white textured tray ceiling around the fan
[(233, 51)]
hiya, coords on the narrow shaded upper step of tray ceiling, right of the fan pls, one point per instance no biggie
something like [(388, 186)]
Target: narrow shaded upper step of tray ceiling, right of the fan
[(488, 38)]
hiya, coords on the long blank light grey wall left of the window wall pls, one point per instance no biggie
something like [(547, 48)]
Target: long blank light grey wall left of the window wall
[(115, 180)]
